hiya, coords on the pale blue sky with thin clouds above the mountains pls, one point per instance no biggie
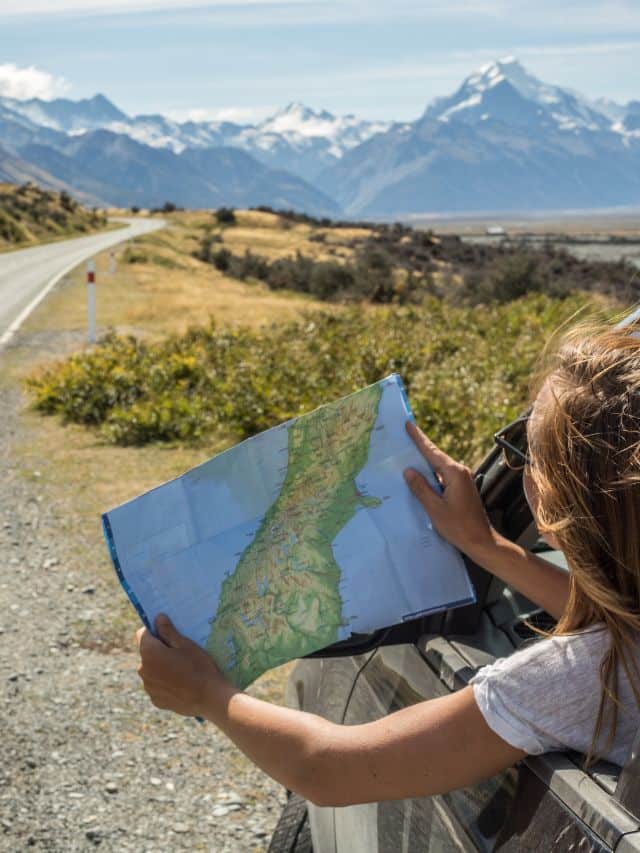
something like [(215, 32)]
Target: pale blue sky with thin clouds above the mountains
[(244, 59)]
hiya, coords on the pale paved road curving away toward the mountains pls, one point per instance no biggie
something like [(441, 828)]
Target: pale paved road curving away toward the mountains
[(27, 275)]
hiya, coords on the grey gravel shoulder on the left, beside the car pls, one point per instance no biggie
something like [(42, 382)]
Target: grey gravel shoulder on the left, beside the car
[(85, 759)]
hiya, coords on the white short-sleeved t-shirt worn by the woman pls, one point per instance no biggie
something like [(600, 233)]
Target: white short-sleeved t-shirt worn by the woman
[(545, 697)]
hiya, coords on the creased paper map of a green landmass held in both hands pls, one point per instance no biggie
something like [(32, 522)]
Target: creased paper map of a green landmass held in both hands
[(292, 540)]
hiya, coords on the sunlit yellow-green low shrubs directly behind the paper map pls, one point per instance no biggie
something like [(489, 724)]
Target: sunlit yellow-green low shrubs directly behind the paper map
[(466, 371)]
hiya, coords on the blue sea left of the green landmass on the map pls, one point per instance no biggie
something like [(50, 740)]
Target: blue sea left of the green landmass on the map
[(189, 534)]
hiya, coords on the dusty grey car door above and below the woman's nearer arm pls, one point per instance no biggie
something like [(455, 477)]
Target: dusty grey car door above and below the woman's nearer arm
[(544, 803)]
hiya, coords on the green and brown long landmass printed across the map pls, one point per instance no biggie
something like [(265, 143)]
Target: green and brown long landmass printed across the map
[(283, 599)]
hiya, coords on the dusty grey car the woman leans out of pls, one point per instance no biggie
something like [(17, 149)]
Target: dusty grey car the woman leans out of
[(545, 802)]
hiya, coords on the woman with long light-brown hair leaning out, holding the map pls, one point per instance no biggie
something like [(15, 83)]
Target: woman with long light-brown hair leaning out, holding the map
[(578, 688)]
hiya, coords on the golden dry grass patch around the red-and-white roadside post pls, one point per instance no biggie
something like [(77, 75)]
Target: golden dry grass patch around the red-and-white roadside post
[(166, 290)]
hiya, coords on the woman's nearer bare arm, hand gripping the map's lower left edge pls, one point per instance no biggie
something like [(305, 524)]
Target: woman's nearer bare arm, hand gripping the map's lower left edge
[(428, 748)]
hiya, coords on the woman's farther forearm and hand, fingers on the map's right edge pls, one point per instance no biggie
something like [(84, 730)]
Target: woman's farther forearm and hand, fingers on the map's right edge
[(458, 516)]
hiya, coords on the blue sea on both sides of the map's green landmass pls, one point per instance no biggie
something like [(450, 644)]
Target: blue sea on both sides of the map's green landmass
[(174, 546)]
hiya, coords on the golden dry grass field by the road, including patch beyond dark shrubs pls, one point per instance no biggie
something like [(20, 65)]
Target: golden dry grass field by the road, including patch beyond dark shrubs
[(159, 287)]
